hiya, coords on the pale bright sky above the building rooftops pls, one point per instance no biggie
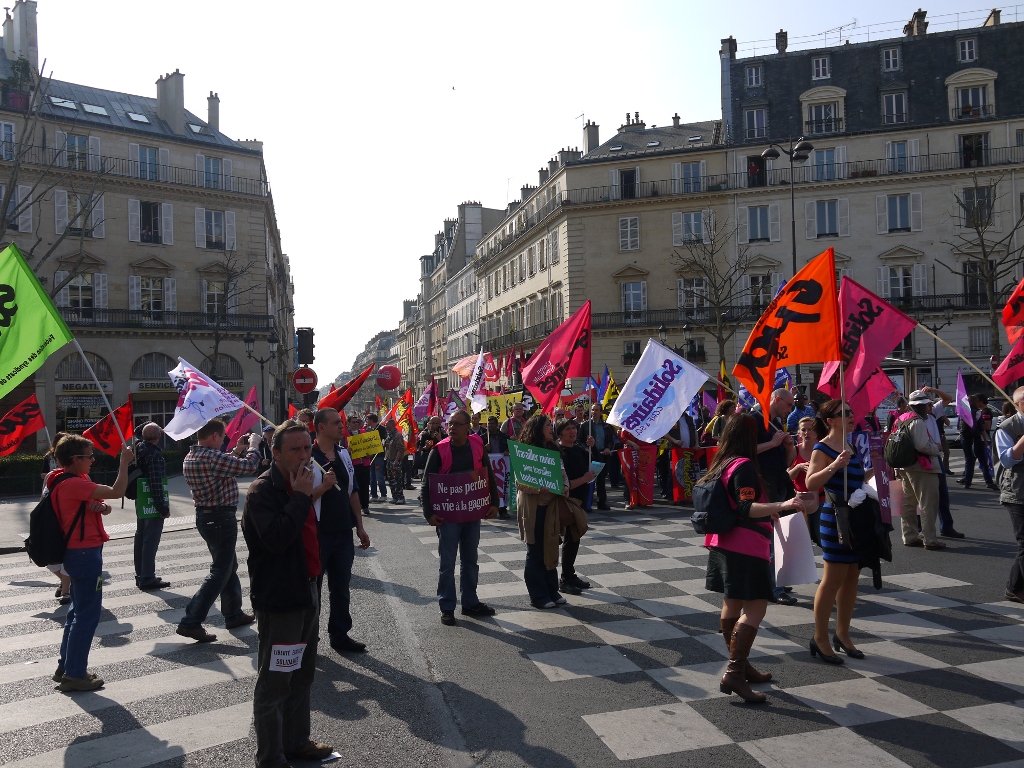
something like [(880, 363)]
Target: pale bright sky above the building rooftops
[(378, 119)]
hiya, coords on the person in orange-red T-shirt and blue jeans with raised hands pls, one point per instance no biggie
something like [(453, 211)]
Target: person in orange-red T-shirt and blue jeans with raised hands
[(74, 493)]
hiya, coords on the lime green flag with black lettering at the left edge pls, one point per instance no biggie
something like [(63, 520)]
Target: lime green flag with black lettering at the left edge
[(31, 328)]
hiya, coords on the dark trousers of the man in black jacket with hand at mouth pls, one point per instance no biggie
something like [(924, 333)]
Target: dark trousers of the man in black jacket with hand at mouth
[(281, 701)]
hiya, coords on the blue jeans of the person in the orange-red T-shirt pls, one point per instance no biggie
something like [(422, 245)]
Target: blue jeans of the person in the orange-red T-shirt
[(86, 569)]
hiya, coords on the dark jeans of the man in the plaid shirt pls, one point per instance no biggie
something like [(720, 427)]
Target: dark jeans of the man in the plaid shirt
[(220, 531)]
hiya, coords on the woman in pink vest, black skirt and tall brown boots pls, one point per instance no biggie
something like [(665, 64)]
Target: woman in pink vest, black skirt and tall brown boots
[(739, 562)]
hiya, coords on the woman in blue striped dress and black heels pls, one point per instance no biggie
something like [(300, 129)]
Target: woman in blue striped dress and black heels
[(832, 454)]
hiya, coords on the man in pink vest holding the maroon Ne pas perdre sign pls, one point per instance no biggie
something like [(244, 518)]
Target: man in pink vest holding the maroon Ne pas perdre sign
[(460, 452)]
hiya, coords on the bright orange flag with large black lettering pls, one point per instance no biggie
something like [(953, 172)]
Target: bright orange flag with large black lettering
[(801, 325)]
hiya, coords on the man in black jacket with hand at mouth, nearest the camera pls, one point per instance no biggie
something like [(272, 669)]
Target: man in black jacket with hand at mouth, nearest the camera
[(280, 528)]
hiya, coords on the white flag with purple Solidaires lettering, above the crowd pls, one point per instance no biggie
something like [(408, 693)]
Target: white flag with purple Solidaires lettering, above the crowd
[(658, 392)]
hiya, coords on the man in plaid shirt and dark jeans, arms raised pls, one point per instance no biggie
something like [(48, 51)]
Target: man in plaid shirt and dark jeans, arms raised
[(210, 475)]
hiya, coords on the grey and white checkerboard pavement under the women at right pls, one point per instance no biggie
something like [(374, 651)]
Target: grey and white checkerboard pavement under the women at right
[(943, 682)]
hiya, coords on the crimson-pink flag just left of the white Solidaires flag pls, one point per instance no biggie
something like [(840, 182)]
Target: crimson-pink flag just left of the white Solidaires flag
[(564, 355)]
